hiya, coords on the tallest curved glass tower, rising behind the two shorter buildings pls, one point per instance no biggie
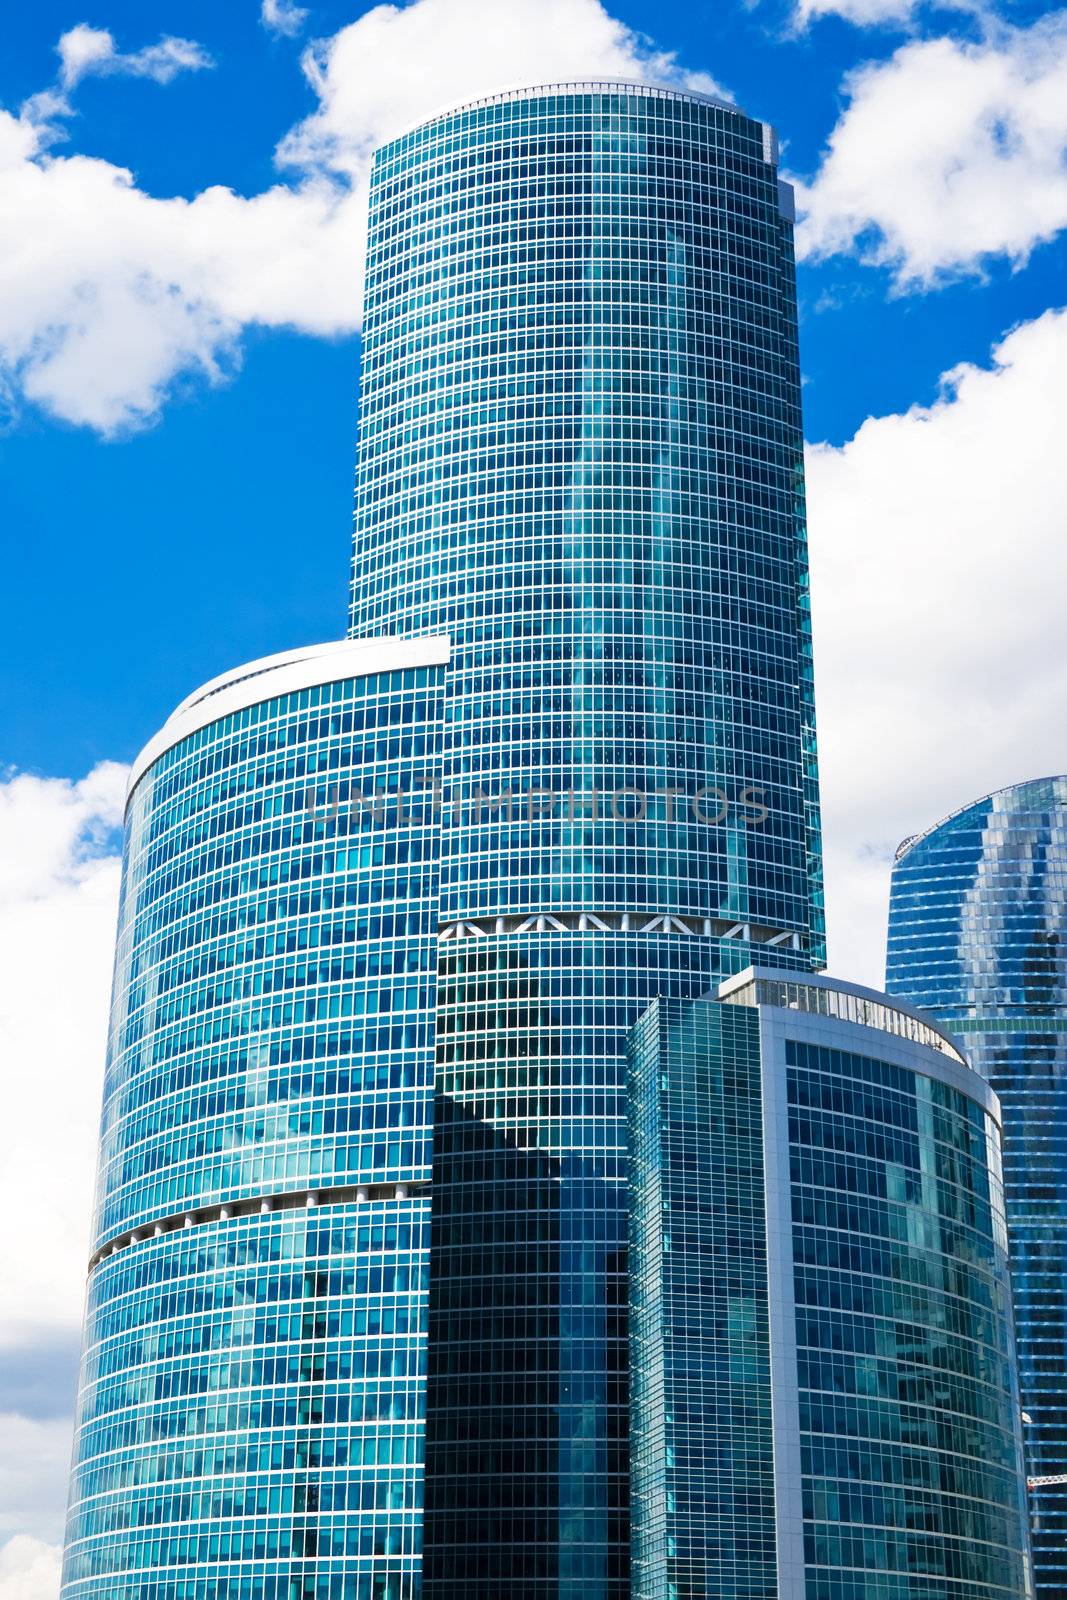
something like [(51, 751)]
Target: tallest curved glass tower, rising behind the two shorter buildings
[(581, 458)]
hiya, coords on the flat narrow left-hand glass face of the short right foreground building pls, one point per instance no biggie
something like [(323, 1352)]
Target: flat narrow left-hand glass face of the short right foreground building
[(703, 1447)]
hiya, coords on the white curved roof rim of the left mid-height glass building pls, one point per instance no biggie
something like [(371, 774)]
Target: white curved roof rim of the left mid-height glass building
[(284, 674)]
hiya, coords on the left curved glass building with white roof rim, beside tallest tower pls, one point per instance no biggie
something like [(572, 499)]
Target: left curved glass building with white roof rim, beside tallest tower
[(254, 1390)]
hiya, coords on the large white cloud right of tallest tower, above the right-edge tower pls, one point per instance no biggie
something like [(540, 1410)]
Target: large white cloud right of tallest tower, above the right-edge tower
[(940, 566)]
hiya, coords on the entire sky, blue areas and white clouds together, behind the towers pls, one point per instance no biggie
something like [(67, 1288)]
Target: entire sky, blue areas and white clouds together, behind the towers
[(178, 394)]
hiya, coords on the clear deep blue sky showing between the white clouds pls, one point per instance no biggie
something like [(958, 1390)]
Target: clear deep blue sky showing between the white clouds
[(143, 564)]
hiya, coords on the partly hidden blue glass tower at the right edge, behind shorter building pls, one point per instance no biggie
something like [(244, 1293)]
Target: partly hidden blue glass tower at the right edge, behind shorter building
[(978, 935)]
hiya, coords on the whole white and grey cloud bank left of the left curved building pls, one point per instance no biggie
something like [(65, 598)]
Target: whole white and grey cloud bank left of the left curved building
[(58, 898)]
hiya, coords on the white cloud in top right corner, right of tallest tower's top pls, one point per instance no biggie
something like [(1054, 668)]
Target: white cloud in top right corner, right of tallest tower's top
[(948, 154)]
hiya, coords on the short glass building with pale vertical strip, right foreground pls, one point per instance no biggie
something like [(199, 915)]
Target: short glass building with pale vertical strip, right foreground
[(825, 1396)]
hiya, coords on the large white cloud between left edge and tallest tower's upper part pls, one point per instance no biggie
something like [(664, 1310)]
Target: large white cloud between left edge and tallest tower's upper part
[(108, 294)]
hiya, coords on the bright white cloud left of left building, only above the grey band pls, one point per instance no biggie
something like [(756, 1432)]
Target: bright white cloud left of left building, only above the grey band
[(58, 898)]
